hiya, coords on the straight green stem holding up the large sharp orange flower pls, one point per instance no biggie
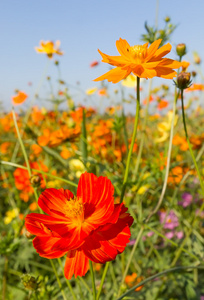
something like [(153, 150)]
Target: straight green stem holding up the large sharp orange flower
[(132, 141)]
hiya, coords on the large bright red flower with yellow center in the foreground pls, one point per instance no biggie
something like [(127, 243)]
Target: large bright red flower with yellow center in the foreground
[(88, 226)]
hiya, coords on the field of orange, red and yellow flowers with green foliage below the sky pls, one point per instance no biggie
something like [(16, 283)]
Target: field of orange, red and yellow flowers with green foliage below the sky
[(107, 204)]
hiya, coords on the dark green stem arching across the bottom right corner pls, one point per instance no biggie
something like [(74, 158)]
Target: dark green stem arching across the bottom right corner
[(158, 275)]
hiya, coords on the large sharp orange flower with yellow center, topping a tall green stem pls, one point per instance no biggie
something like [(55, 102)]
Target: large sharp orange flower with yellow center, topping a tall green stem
[(141, 61)]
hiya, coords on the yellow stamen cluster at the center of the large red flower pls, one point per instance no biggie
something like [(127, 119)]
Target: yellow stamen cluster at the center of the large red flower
[(75, 209)]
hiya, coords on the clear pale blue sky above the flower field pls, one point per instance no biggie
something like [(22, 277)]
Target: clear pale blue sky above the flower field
[(83, 27)]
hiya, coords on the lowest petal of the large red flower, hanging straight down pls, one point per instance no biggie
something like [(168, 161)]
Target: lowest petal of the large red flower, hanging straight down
[(77, 263)]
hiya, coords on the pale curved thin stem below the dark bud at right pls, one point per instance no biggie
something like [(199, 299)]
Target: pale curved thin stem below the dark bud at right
[(168, 161)]
